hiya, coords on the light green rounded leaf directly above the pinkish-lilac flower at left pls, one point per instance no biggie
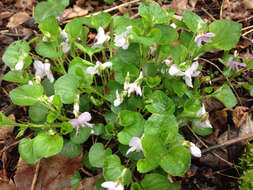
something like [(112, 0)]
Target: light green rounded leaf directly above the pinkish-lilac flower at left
[(66, 87)]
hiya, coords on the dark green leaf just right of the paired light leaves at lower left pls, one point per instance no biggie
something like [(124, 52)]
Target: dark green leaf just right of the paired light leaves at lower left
[(70, 149)]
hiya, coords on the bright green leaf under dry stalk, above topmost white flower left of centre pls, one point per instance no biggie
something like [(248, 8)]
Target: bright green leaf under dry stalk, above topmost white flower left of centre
[(102, 19)]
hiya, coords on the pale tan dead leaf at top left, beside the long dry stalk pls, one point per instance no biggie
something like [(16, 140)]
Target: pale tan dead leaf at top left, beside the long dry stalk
[(72, 13)]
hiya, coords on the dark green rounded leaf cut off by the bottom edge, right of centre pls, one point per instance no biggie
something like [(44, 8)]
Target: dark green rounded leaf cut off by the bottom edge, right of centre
[(156, 181)]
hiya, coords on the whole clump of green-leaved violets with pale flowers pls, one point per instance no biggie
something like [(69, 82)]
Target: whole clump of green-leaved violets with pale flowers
[(131, 90)]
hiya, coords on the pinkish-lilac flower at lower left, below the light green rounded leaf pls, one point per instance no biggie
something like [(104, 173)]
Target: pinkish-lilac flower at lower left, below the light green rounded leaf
[(82, 121)]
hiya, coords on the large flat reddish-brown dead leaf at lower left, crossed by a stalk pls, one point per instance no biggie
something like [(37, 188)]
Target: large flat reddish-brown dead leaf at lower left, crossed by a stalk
[(54, 173)]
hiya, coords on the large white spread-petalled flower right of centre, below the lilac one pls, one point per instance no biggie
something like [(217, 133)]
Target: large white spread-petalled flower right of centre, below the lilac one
[(187, 75)]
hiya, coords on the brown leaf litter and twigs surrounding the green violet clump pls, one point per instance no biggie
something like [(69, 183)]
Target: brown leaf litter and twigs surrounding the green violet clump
[(214, 170)]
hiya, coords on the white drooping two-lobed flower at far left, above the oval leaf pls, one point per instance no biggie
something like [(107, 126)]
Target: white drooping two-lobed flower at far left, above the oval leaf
[(42, 70)]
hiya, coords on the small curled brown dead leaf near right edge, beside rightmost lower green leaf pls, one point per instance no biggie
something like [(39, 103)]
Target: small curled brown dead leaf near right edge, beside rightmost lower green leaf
[(239, 115)]
